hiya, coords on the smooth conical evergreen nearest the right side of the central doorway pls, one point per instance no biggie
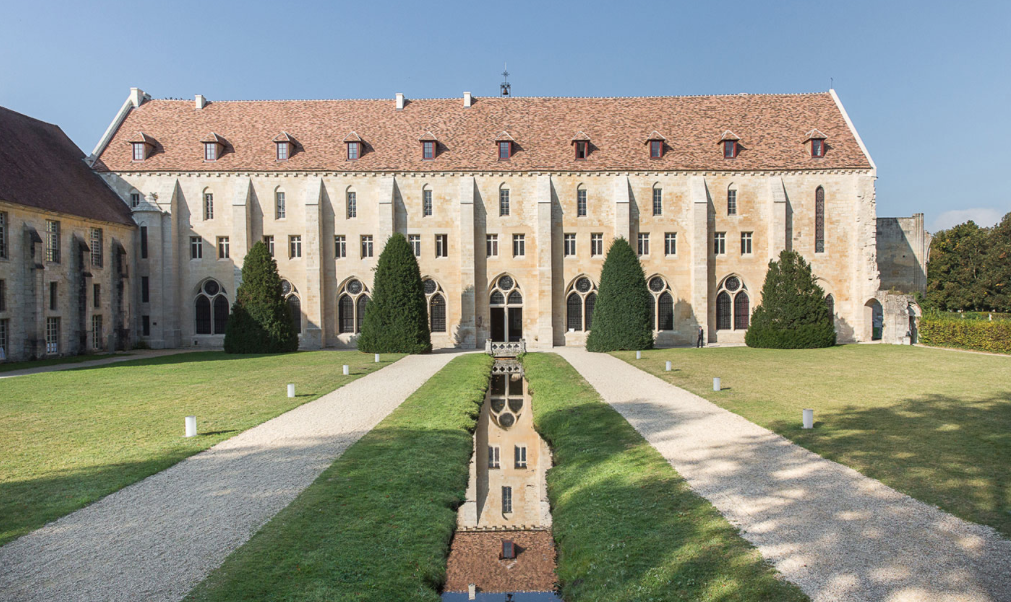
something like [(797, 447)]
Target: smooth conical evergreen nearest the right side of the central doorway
[(623, 315)]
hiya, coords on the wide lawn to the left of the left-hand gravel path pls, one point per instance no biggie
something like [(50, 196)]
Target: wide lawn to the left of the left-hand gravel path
[(74, 437)]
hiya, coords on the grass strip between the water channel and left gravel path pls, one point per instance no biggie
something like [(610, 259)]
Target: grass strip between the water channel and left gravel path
[(378, 525)]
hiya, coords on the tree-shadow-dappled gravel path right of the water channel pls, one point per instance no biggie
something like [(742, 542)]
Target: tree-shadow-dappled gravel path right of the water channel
[(837, 534)]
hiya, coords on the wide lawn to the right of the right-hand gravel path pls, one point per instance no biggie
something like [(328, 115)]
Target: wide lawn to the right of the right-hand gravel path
[(931, 423)]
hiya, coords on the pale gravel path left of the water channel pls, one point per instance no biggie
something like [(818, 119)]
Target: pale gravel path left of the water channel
[(156, 540)]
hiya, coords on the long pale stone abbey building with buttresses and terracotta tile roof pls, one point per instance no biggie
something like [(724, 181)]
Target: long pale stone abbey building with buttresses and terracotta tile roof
[(510, 204)]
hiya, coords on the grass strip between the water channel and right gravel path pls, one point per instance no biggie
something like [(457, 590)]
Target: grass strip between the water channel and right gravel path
[(627, 527)]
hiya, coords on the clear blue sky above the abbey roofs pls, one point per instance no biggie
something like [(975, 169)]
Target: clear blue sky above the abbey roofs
[(929, 84)]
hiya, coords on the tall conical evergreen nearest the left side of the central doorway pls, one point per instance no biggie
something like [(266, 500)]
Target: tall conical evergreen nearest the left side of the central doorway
[(397, 320)]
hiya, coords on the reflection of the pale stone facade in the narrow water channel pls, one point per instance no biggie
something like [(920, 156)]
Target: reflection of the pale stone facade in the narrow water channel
[(508, 488)]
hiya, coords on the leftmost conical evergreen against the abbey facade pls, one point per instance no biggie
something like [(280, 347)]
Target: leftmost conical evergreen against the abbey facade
[(260, 321)]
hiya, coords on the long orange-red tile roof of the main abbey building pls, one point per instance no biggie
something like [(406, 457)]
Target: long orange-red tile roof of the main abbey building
[(772, 126)]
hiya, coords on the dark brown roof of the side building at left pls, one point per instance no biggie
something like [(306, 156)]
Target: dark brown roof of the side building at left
[(42, 168)]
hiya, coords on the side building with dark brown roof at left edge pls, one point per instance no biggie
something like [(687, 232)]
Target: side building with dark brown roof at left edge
[(67, 242)]
